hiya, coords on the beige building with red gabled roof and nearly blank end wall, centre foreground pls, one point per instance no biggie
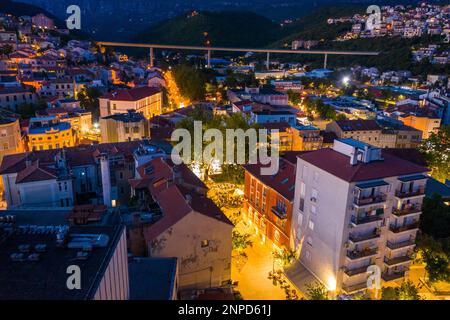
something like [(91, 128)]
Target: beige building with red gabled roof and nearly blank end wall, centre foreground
[(186, 224)]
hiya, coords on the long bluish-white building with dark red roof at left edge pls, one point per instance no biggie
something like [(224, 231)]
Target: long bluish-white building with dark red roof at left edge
[(58, 178)]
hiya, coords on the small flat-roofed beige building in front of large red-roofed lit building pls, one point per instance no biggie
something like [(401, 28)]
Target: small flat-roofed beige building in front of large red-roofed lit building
[(121, 127)]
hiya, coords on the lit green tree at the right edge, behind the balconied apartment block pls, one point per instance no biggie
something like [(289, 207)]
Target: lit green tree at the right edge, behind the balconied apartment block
[(437, 153)]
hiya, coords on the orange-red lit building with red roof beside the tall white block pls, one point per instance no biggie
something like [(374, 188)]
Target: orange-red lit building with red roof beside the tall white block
[(268, 201)]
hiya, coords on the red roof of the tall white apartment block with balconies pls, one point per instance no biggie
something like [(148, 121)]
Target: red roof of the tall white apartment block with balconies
[(339, 165)]
